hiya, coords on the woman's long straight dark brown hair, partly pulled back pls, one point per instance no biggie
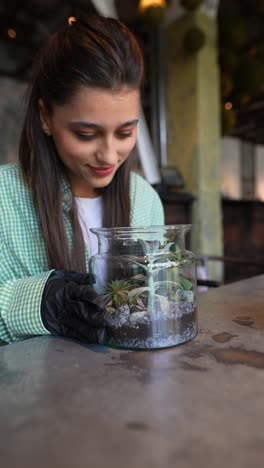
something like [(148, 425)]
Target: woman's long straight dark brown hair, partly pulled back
[(91, 51)]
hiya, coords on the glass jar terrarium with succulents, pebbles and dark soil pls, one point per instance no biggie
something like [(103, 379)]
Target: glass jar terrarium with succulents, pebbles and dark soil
[(146, 284)]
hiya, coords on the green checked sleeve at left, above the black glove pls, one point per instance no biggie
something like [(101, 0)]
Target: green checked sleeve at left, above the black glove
[(23, 268)]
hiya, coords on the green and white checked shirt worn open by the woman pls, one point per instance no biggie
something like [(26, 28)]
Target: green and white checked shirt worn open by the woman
[(23, 264)]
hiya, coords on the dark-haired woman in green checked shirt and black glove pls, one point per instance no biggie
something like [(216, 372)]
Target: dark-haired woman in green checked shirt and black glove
[(74, 173)]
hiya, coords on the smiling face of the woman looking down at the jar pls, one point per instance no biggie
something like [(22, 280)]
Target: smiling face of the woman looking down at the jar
[(94, 134)]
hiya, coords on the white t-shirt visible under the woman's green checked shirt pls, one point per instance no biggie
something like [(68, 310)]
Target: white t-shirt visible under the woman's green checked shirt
[(90, 213)]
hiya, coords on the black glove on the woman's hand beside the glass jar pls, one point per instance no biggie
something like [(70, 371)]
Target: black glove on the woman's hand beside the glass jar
[(68, 308)]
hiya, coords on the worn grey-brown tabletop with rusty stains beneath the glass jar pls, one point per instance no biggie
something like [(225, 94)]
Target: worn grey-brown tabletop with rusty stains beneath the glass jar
[(201, 404)]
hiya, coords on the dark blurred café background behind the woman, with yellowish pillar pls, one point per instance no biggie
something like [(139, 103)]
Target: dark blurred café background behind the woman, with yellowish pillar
[(202, 134)]
